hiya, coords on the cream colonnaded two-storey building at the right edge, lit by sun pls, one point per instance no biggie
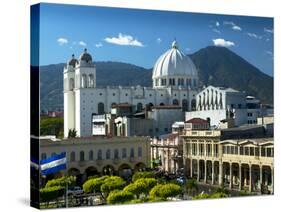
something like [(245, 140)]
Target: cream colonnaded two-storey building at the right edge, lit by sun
[(240, 158)]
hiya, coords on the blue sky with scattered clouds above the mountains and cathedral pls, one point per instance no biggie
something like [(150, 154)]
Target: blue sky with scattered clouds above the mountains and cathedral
[(141, 36)]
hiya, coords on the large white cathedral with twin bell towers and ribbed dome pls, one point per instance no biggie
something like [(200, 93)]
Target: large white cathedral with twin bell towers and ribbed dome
[(174, 77)]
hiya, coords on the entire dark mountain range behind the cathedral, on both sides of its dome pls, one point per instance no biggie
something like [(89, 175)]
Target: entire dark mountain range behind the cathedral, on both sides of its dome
[(217, 66)]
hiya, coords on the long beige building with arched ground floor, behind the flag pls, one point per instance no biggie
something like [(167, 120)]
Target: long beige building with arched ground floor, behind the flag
[(100, 155)]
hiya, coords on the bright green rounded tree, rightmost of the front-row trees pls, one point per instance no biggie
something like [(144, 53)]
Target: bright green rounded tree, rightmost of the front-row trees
[(165, 191)]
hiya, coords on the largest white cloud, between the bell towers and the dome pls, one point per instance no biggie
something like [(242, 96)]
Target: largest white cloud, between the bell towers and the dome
[(124, 40)]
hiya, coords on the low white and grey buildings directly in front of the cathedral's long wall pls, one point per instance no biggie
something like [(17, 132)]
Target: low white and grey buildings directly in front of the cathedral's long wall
[(124, 120)]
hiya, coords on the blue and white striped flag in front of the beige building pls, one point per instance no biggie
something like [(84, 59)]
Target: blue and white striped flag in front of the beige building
[(53, 164)]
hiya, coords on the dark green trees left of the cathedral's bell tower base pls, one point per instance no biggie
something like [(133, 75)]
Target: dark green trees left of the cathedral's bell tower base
[(51, 126)]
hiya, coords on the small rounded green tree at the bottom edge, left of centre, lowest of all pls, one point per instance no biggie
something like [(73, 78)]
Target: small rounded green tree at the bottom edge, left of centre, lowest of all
[(119, 197)]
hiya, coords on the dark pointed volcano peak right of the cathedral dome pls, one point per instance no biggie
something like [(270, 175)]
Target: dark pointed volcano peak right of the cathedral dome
[(219, 66)]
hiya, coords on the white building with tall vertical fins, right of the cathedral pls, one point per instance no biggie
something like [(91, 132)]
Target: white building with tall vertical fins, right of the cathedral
[(217, 104)]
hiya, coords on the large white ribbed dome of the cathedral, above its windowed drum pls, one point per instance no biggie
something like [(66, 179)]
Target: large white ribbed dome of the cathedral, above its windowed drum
[(174, 63)]
